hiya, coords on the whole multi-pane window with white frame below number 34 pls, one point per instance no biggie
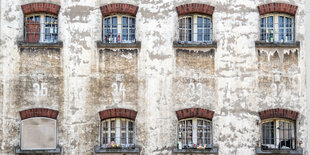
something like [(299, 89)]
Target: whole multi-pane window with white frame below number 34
[(118, 133)]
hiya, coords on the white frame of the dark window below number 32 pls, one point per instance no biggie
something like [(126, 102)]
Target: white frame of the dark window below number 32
[(278, 141)]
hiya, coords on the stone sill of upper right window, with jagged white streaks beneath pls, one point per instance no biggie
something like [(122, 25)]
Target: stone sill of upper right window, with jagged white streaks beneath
[(261, 44)]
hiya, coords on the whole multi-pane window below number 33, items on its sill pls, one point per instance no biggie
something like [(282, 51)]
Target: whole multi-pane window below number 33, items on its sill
[(194, 133)]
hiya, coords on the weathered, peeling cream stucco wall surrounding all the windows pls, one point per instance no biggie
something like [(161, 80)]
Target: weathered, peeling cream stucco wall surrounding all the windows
[(235, 80)]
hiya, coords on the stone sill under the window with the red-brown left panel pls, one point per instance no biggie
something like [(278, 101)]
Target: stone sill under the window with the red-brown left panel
[(22, 44)]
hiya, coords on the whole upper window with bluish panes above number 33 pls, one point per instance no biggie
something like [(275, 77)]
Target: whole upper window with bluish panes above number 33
[(195, 28)]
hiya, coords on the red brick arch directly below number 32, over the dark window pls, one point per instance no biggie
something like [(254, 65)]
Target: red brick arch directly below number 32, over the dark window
[(278, 113)]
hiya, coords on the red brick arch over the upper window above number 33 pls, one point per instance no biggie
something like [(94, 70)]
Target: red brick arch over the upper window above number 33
[(195, 8)]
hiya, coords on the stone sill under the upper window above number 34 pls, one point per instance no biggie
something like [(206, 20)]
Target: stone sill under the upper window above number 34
[(101, 44)]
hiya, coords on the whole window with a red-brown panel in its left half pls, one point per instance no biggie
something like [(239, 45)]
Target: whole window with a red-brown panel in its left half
[(41, 28)]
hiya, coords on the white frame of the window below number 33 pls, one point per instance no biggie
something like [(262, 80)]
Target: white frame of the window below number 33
[(194, 129)]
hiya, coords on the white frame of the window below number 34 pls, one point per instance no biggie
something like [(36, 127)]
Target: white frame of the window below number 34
[(118, 131)]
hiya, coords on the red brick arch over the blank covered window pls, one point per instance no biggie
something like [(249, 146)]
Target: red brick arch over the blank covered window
[(38, 112)]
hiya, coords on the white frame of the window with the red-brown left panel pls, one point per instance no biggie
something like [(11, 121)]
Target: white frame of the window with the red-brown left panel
[(42, 27)]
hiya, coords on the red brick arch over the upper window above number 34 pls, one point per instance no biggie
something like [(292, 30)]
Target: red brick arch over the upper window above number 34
[(119, 8)]
